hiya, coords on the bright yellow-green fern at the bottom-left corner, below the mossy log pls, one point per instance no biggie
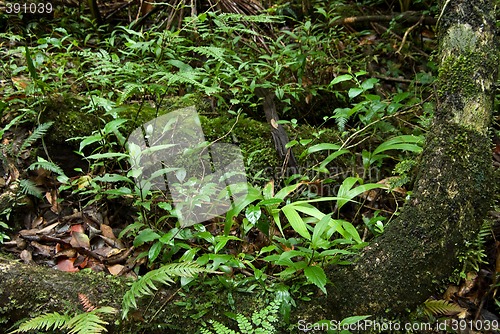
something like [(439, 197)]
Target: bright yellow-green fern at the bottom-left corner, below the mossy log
[(83, 323)]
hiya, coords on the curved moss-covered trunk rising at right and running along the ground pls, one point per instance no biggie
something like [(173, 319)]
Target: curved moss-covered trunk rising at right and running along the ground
[(396, 272)]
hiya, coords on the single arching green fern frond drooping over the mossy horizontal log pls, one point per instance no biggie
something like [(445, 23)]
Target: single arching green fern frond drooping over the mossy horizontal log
[(146, 285)]
